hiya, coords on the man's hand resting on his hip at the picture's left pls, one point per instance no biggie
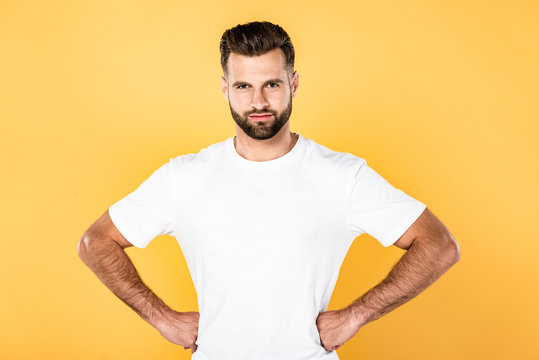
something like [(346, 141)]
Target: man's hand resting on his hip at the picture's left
[(180, 328)]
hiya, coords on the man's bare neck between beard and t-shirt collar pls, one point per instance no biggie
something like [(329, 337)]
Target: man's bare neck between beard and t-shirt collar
[(265, 150)]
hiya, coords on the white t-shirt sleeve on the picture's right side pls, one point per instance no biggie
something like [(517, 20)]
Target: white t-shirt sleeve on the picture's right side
[(378, 208)]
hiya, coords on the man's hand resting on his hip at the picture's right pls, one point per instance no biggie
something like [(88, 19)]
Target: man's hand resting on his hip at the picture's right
[(336, 327)]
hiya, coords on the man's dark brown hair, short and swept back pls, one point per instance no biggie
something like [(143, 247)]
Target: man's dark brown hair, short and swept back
[(256, 38)]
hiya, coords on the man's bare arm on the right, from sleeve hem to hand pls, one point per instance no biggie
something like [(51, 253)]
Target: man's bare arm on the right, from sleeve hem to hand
[(430, 251)]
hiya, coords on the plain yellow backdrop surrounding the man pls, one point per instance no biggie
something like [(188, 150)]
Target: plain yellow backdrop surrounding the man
[(439, 97)]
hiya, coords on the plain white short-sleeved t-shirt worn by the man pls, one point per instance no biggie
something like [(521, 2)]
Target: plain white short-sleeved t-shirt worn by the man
[(264, 241)]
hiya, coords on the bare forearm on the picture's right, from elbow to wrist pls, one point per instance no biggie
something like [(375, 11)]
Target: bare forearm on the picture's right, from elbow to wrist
[(422, 264)]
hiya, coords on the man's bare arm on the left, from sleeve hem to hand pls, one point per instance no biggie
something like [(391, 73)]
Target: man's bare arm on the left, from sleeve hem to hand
[(101, 248)]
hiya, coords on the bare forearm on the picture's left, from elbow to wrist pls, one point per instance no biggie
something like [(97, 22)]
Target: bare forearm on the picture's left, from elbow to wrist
[(115, 269)]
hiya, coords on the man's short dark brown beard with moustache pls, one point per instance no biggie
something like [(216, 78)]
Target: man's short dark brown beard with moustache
[(262, 130)]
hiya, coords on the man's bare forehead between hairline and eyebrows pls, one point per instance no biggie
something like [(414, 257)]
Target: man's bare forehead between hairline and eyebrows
[(269, 65)]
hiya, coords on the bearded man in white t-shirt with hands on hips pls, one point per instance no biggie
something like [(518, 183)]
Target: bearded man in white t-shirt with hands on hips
[(265, 219)]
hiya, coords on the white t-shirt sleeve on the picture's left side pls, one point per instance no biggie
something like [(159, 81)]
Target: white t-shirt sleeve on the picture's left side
[(146, 212)]
